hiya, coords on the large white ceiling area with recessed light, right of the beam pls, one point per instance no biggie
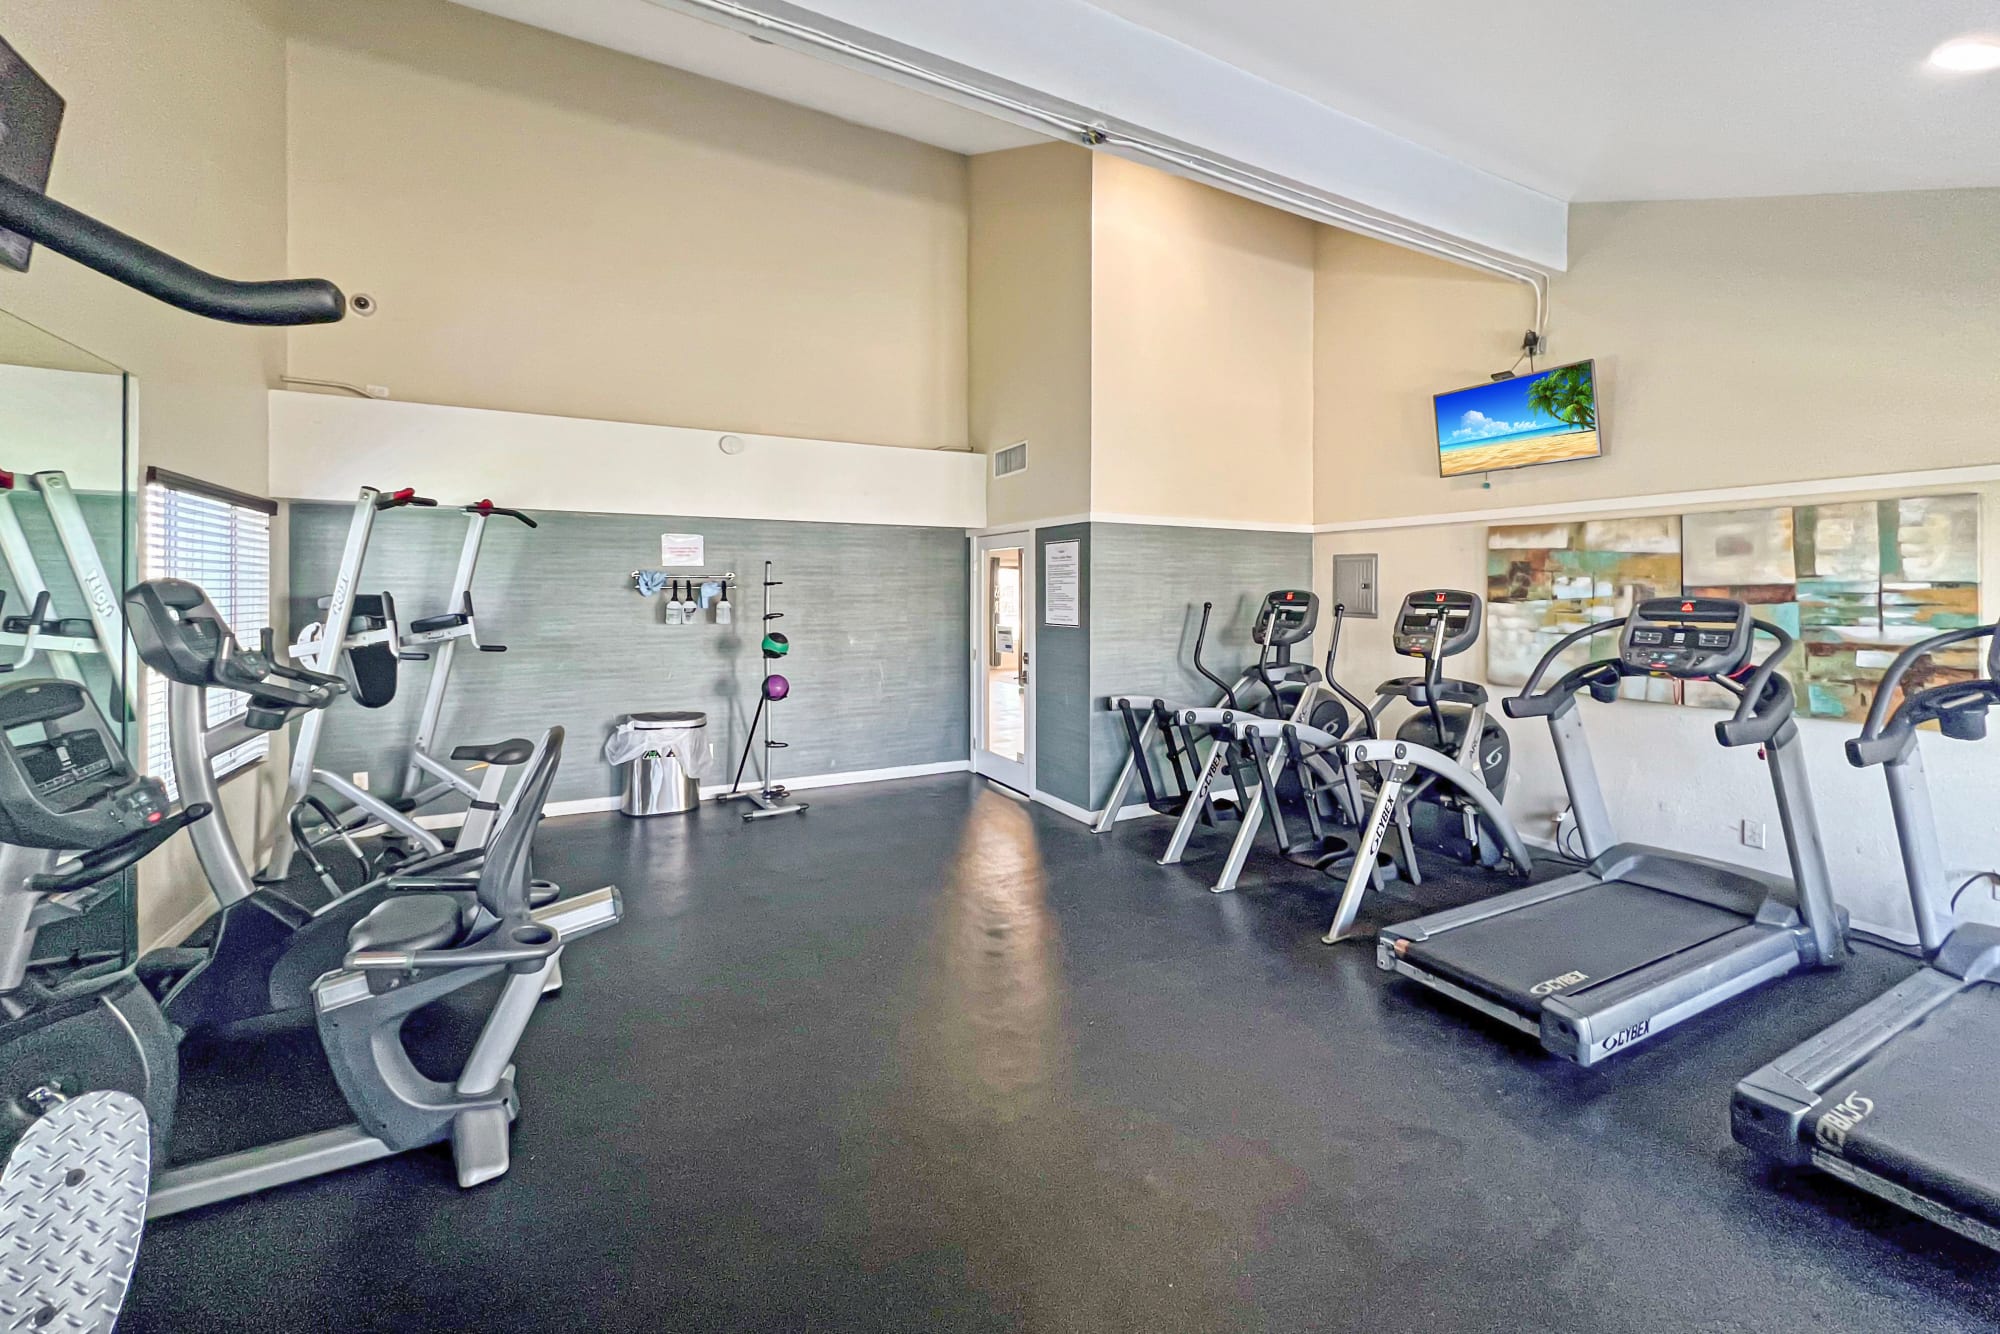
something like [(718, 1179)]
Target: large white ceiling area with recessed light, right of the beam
[(1635, 101)]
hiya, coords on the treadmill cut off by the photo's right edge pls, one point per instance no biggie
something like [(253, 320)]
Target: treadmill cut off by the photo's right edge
[(1895, 1099)]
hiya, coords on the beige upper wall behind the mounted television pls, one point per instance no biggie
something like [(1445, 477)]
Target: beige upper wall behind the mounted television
[(1737, 341)]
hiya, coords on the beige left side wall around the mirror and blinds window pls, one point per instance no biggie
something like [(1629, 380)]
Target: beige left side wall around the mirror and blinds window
[(175, 133)]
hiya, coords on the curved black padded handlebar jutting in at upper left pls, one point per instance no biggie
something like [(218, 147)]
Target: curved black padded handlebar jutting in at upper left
[(159, 275)]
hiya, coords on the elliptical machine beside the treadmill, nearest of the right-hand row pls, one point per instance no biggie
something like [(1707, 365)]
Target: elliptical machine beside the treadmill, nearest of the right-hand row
[(1447, 757)]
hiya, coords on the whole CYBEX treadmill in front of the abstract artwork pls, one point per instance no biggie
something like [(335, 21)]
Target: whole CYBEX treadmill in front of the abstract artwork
[(1643, 939)]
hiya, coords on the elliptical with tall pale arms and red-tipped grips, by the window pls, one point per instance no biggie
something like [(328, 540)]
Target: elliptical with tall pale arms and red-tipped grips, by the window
[(361, 639)]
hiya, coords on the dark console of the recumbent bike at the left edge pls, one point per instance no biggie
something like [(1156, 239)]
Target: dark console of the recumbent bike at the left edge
[(65, 781)]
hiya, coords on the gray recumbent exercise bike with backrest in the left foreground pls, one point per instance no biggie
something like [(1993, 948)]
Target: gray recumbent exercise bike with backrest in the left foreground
[(69, 789)]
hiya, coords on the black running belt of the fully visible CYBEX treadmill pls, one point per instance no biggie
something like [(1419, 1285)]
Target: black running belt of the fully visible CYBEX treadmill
[(1601, 933)]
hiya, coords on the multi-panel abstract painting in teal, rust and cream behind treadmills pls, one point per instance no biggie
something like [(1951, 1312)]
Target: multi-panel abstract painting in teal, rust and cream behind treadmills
[(1853, 581)]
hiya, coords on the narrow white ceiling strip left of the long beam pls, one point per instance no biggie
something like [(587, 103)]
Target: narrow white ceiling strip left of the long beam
[(705, 49)]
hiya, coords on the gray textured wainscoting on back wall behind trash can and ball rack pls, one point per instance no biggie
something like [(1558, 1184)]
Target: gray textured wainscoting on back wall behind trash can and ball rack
[(877, 617)]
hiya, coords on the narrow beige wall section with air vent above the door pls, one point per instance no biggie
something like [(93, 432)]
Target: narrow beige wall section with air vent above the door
[(1031, 327)]
